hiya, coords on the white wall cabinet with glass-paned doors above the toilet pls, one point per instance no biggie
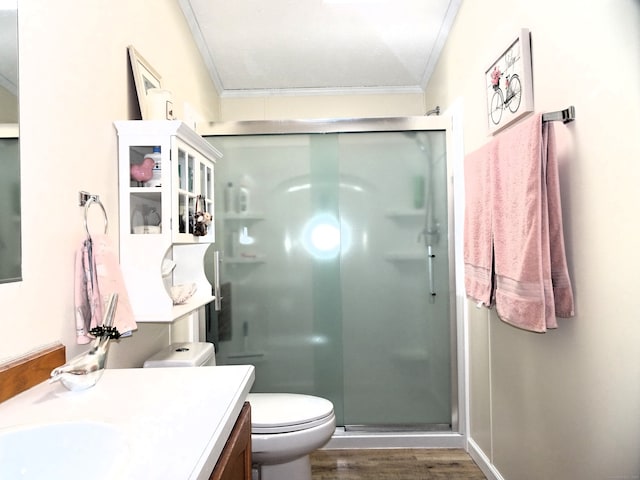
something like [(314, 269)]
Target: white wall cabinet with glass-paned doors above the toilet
[(155, 220)]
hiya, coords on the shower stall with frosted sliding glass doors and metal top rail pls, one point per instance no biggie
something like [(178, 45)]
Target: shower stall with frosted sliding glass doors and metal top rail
[(335, 244)]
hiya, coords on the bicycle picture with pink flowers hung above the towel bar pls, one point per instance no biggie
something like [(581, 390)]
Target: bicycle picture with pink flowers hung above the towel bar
[(509, 84)]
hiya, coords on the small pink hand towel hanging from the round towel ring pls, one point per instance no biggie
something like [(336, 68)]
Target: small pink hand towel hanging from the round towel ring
[(98, 275)]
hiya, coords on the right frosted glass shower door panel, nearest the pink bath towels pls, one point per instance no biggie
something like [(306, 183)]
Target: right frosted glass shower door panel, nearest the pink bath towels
[(396, 332)]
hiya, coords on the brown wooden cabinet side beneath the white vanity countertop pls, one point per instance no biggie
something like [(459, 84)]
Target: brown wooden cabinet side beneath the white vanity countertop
[(235, 460)]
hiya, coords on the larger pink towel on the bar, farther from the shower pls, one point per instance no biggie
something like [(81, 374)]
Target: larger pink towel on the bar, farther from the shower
[(526, 214)]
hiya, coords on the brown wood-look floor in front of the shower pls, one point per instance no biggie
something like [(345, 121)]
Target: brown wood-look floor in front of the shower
[(394, 464)]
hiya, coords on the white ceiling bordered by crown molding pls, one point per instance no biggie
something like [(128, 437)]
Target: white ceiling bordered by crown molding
[(305, 46)]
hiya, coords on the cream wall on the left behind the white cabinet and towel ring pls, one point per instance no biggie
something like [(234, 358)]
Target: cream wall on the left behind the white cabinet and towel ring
[(75, 81)]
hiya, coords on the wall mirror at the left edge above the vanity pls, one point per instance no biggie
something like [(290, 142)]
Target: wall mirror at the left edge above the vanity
[(10, 237)]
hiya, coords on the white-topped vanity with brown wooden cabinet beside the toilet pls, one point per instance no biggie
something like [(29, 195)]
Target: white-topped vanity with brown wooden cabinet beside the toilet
[(164, 423)]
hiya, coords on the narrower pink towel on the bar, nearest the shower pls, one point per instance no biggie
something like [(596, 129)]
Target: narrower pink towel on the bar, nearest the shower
[(478, 248)]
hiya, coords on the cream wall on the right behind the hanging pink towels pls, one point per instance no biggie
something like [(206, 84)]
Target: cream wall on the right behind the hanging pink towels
[(564, 405)]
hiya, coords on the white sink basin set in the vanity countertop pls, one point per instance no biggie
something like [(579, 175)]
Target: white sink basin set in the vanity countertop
[(67, 450)]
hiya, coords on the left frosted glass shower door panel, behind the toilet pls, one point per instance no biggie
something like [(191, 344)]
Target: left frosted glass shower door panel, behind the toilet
[(281, 277)]
